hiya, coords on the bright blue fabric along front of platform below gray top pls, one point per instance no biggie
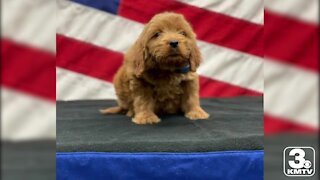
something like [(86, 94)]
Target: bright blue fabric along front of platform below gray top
[(233, 165)]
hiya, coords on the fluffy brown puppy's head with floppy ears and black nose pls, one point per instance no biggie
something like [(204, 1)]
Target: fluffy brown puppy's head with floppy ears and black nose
[(167, 43)]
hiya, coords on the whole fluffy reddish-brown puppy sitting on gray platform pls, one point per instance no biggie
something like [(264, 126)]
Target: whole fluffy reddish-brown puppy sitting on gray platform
[(159, 72)]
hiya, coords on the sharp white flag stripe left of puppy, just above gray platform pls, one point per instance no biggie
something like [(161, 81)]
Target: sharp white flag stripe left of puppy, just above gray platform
[(75, 86)]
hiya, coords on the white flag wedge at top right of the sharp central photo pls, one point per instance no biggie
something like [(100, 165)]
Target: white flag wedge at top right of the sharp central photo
[(249, 10)]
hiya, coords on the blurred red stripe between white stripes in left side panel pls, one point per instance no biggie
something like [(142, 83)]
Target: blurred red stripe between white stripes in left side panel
[(28, 69)]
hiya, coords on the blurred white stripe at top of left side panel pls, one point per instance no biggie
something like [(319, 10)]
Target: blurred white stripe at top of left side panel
[(30, 22)]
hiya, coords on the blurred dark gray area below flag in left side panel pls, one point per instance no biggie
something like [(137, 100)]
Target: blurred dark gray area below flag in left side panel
[(34, 160)]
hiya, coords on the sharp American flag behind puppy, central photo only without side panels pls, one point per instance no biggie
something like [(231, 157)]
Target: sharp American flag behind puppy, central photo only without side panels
[(92, 39)]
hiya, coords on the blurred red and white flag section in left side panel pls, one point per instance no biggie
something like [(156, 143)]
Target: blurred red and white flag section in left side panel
[(28, 70)]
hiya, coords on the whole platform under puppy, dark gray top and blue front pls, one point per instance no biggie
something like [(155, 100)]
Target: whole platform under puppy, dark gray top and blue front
[(227, 146)]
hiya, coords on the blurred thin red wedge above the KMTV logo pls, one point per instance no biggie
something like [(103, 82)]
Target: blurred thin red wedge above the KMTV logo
[(274, 125)]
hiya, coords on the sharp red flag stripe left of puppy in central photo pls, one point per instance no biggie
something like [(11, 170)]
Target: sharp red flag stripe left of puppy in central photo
[(87, 59)]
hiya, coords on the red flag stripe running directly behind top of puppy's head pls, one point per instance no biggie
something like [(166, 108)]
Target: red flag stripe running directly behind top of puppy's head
[(210, 26)]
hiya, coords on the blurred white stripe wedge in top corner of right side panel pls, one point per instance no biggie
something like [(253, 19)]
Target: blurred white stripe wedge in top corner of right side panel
[(303, 10)]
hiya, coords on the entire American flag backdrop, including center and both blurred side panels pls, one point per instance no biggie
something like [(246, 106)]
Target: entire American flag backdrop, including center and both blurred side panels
[(71, 51)]
